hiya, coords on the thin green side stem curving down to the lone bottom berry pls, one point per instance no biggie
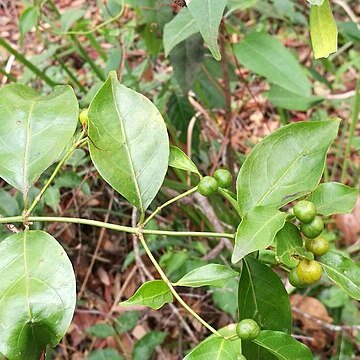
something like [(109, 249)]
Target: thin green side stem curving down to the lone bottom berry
[(172, 289)]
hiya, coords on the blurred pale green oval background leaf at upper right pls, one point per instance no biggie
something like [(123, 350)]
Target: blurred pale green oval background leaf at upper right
[(266, 56)]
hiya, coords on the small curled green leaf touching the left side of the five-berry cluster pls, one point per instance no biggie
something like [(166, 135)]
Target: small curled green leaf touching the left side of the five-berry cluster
[(288, 243)]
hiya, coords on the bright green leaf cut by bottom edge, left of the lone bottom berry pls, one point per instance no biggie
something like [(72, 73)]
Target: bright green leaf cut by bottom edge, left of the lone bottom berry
[(215, 347)]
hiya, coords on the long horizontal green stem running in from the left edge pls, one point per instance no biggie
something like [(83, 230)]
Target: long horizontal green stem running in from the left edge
[(111, 226)]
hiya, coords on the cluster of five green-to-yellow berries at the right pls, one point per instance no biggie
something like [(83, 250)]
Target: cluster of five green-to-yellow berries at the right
[(309, 271)]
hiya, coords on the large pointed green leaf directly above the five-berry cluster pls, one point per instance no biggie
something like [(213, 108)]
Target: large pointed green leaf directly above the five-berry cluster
[(302, 148)]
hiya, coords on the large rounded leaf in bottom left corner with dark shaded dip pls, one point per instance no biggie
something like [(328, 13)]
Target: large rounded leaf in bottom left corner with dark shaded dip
[(38, 294)]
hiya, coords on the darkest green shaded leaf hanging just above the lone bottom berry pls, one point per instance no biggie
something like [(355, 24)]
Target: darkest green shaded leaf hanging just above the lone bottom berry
[(262, 297)]
